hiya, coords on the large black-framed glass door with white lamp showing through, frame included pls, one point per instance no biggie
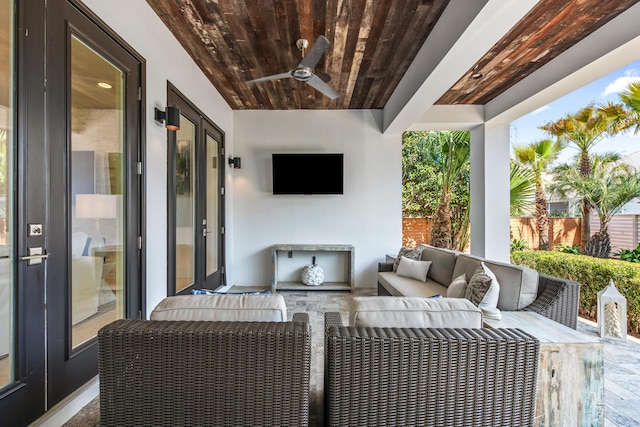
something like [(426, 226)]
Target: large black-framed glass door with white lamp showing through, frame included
[(95, 197)]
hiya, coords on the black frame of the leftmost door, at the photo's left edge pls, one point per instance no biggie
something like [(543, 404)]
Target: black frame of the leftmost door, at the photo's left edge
[(24, 400)]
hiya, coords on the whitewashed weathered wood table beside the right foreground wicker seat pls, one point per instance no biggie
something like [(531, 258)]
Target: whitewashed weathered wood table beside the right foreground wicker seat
[(570, 372)]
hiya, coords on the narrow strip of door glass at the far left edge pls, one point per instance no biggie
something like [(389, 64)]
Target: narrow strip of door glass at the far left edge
[(7, 168)]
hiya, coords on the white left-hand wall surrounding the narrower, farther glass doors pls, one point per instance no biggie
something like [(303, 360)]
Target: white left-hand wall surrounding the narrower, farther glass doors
[(166, 60)]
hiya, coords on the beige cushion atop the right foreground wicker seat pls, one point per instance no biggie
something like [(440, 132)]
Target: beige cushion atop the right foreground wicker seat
[(403, 312)]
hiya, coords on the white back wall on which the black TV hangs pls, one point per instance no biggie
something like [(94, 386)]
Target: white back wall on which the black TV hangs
[(368, 215)]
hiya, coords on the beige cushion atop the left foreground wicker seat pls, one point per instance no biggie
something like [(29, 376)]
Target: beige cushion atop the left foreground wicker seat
[(248, 308)]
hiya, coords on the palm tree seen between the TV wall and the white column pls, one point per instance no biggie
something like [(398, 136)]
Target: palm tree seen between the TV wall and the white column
[(450, 151)]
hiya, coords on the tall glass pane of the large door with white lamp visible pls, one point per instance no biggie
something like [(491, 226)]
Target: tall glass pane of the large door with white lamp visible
[(97, 172)]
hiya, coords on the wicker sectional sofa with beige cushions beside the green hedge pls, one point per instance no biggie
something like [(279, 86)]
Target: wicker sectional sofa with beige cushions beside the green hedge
[(521, 288)]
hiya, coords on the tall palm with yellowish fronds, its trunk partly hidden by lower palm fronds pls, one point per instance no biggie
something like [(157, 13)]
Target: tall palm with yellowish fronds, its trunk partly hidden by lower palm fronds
[(583, 130)]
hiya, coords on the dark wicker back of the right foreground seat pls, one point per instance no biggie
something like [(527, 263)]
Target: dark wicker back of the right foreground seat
[(383, 376)]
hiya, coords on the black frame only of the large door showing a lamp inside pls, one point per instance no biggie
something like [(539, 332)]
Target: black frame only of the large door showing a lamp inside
[(68, 370)]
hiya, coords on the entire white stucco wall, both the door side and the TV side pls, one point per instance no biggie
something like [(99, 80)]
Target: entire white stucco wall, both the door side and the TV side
[(368, 215)]
